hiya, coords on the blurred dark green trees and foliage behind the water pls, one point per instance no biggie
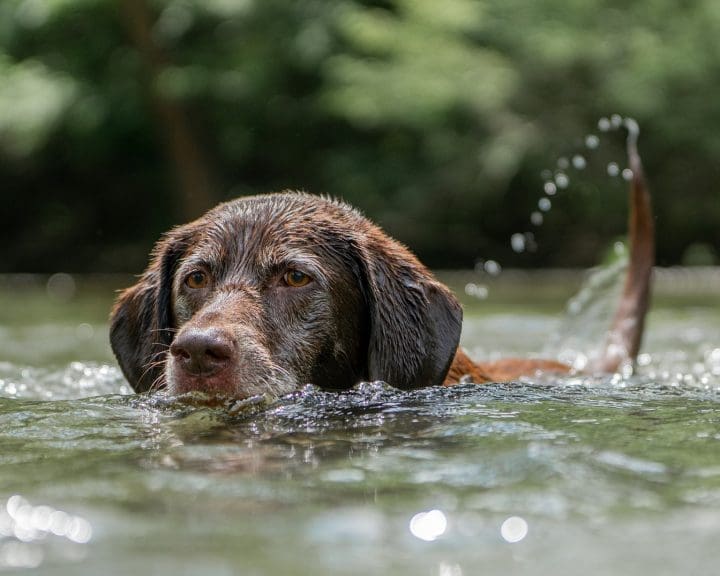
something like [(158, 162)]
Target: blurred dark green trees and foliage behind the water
[(443, 121)]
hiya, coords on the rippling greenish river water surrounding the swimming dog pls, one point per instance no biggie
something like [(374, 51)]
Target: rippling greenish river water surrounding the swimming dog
[(599, 475)]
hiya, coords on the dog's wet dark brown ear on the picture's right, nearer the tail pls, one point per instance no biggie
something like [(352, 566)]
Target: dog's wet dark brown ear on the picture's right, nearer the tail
[(415, 321)]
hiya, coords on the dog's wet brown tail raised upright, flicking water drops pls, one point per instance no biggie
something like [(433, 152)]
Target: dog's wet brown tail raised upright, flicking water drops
[(626, 331)]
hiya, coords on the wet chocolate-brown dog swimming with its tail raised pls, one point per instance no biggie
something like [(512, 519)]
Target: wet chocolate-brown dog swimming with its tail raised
[(264, 294)]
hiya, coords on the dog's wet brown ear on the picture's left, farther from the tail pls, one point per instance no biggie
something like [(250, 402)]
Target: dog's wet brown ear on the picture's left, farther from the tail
[(141, 322)]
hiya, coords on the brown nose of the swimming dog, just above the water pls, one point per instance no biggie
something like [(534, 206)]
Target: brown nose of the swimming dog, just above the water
[(202, 352)]
